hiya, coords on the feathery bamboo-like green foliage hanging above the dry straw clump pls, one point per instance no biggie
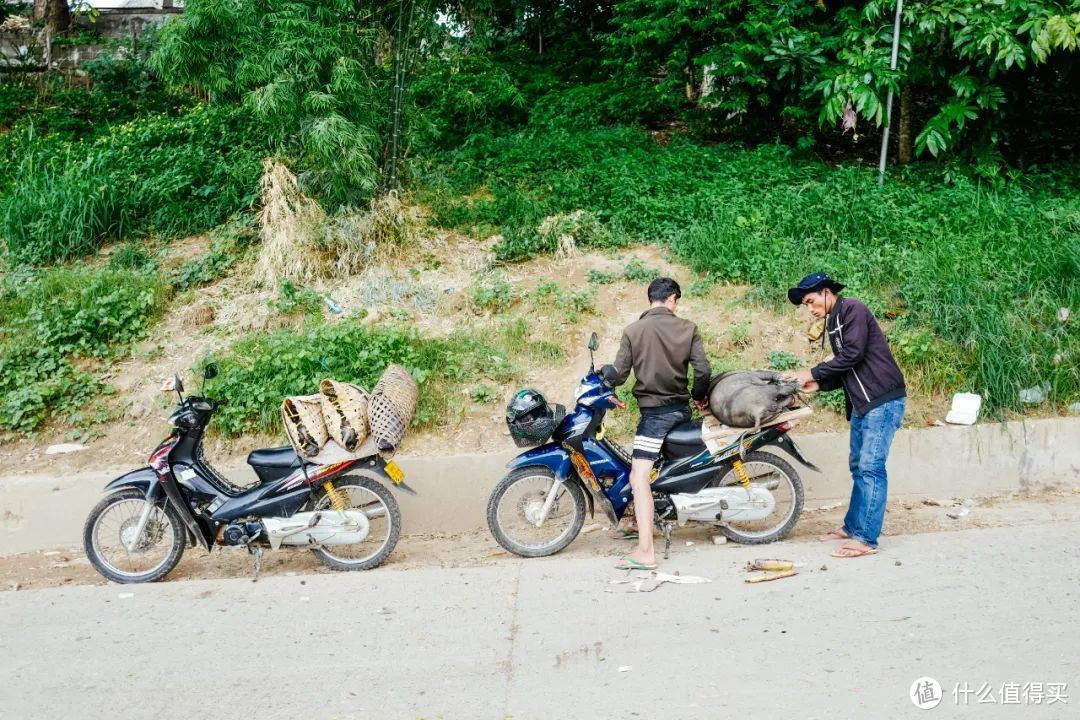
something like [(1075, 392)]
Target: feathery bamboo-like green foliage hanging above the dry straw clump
[(318, 74)]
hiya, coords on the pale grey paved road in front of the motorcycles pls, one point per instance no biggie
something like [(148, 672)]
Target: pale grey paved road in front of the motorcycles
[(551, 639)]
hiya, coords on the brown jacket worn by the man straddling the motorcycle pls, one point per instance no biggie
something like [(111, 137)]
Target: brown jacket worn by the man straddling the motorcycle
[(658, 348)]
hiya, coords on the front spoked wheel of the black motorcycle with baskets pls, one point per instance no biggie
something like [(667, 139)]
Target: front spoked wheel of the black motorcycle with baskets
[(113, 548)]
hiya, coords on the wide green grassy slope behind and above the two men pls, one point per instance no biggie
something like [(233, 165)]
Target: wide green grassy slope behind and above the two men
[(973, 276)]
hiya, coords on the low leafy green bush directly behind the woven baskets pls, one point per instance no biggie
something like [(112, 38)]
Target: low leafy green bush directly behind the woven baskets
[(260, 371)]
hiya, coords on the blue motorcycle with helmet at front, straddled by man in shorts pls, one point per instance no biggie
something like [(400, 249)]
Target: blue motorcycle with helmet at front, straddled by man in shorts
[(721, 478)]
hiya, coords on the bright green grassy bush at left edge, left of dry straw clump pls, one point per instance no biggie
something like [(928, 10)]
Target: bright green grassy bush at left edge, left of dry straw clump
[(165, 175)]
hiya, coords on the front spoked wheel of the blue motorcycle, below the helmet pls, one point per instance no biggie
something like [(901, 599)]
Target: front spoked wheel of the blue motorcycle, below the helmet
[(517, 505)]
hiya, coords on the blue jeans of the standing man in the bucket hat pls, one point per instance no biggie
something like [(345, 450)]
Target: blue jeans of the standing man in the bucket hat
[(871, 438)]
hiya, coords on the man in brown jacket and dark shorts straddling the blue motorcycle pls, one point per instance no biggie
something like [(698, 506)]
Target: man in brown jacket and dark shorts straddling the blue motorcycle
[(658, 348)]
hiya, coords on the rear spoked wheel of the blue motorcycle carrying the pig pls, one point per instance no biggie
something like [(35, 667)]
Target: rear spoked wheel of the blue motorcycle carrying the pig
[(776, 476)]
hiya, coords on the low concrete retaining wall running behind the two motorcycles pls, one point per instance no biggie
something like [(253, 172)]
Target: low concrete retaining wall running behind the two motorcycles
[(42, 512)]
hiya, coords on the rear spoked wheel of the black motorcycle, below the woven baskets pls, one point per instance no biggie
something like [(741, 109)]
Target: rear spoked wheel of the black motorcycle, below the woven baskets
[(379, 505)]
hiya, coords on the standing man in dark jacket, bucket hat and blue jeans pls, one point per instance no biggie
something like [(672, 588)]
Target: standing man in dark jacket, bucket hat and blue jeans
[(874, 390)]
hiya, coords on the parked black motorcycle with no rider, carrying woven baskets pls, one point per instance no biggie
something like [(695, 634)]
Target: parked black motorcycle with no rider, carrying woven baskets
[(337, 508)]
